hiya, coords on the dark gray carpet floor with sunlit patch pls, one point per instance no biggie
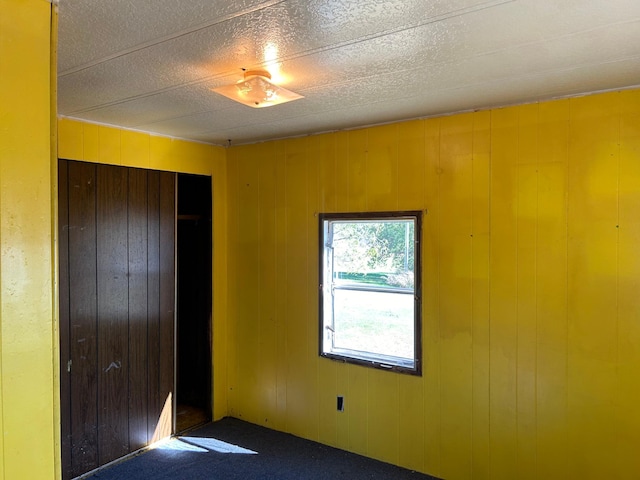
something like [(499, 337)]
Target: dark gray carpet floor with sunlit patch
[(231, 449)]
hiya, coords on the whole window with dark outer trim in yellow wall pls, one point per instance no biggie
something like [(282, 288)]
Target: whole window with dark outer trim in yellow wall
[(370, 289)]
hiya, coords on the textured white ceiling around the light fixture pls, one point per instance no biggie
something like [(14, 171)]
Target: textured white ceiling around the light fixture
[(151, 64)]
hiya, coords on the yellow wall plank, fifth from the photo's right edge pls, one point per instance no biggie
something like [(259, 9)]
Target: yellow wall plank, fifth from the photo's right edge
[(503, 294)]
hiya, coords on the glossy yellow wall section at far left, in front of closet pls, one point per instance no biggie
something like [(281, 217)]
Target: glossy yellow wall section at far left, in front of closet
[(27, 374)]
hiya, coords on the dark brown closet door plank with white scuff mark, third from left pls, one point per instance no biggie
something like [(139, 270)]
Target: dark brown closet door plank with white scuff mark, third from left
[(113, 364)]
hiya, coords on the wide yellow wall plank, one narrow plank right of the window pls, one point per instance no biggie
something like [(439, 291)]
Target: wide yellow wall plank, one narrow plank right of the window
[(455, 273)]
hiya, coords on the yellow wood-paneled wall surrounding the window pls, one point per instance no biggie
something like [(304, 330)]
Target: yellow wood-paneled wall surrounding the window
[(531, 314)]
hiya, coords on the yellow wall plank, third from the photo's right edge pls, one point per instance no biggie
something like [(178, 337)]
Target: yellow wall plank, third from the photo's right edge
[(551, 364)]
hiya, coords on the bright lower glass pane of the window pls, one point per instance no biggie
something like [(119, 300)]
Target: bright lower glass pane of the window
[(374, 322)]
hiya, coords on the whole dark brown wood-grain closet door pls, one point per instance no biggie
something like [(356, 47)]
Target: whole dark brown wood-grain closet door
[(117, 284)]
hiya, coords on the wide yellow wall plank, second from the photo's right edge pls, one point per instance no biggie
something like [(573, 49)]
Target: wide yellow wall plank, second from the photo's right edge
[(592, 284)]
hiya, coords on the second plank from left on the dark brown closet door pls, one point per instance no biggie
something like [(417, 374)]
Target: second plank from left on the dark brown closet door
[(83, 317)]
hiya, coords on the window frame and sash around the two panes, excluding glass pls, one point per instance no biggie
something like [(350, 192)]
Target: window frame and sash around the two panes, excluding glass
[(328, 285)]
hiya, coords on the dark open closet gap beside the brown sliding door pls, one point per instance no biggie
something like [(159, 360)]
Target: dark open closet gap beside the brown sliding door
[(194, 302)]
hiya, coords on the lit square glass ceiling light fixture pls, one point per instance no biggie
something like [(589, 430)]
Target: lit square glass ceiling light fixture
[(257, 91)]
